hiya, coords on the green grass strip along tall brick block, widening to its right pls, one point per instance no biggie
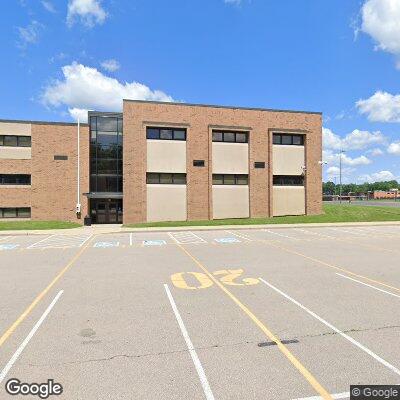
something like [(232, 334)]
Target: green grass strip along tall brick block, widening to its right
[(332, 213)]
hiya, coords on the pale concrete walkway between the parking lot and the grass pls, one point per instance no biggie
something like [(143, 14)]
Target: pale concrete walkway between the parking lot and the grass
[(104, 229)]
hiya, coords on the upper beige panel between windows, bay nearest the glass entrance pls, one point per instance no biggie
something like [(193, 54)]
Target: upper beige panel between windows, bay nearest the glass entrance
[(166, 156)]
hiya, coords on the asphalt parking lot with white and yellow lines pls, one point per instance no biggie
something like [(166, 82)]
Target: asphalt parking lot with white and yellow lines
[(287, 313)]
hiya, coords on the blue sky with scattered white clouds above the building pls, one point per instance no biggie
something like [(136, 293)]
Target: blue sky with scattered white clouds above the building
[(61, 58)]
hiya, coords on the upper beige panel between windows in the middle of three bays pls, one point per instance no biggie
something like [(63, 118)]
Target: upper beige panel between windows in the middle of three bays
[(230, 158)]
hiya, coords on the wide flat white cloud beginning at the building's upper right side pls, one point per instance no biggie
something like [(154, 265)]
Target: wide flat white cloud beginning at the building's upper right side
[(356, 140)]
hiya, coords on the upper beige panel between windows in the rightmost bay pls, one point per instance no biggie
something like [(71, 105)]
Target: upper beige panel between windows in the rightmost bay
[(288, 160)]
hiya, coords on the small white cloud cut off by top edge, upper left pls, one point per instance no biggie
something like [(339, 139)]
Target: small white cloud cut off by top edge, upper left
[(89, 12)]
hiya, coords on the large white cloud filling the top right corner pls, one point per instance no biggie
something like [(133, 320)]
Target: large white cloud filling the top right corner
[(380, 20)]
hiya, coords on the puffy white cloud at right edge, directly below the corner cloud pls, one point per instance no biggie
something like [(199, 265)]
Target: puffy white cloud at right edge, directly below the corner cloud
[(381, 107)]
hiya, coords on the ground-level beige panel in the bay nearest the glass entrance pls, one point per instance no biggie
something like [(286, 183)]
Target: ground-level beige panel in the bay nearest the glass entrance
[(166, 203)]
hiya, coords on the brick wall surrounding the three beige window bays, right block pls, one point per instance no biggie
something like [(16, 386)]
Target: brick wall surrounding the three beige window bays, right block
[(199, 119)]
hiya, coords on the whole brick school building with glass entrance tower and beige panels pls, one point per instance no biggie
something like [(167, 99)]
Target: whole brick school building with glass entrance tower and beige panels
[(163, 161)]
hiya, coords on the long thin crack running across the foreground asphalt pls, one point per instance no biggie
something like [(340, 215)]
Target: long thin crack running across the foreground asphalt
[(129, 356)]
